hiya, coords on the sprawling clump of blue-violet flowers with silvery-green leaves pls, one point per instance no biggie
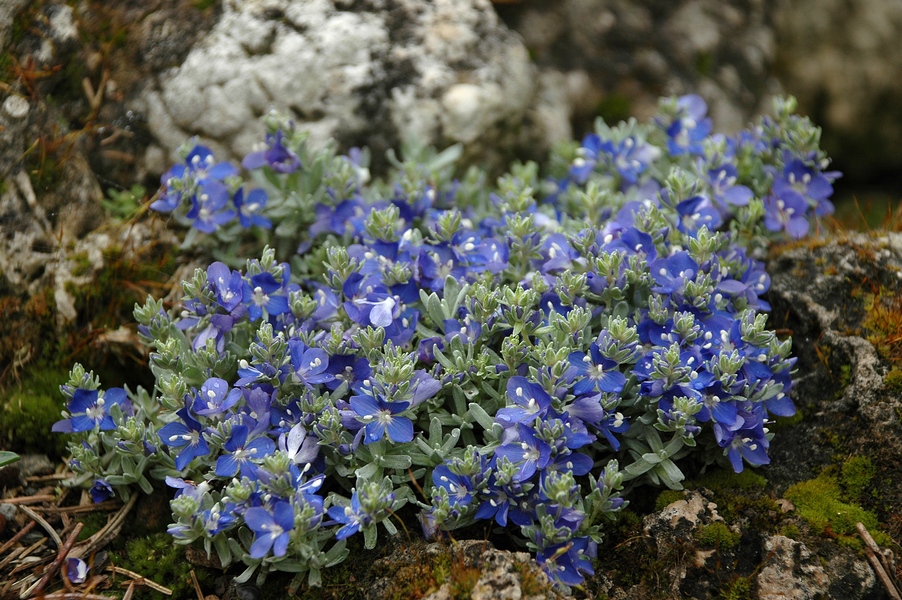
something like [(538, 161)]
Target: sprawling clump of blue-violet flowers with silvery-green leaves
[(521, 354)]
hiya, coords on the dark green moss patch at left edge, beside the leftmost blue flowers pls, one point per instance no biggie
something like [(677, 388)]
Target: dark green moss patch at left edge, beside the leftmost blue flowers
[(28, 411)]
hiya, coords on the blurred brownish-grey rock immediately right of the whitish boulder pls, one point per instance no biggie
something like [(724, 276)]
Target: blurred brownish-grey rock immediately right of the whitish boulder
[(620, 56)]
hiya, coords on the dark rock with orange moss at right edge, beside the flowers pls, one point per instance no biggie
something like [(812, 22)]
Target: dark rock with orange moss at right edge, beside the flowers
[(840, 299)]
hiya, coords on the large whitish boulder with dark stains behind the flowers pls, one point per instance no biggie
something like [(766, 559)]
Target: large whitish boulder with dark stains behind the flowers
[(374, 72)]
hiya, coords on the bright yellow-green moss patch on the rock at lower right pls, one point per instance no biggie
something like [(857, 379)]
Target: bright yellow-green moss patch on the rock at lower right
[(819, 501)]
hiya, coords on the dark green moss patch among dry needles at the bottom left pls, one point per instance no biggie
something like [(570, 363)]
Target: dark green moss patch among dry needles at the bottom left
[(159, 560)]
